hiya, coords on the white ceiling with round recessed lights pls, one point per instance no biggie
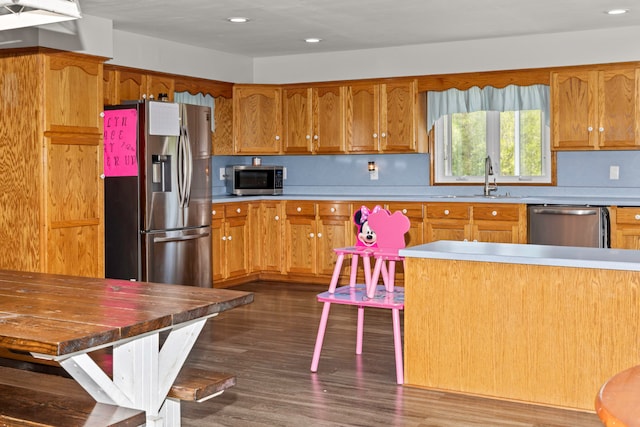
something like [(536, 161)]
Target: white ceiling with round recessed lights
[(278, 27)]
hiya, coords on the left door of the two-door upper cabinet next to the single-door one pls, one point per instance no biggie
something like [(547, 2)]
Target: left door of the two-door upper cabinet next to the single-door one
[(297, 120)]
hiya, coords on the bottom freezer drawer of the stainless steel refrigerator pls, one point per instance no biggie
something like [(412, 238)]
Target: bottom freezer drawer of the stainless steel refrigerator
[(181, 257)]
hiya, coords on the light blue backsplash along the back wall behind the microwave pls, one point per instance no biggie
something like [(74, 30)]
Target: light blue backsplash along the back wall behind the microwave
[(579, 173)]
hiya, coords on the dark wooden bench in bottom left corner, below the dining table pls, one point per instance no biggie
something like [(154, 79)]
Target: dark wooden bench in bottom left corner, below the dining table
[(34, 399)]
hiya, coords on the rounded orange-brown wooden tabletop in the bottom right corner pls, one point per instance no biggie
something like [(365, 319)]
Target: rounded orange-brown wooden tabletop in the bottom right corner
[(618, 402)]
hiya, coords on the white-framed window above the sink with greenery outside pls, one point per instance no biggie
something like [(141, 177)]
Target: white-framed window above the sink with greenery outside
[(516, 139)]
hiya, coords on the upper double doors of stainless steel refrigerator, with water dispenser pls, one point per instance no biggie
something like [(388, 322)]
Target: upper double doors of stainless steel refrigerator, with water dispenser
[(176, 179)]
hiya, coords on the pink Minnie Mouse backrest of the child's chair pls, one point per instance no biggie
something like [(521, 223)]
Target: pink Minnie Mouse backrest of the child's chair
[(379, 228)]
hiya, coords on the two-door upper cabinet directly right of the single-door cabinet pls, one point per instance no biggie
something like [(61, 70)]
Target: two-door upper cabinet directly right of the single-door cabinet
[(314, 120)]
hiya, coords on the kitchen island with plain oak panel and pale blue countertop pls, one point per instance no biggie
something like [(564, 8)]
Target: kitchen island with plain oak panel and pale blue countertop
[(538, 324)]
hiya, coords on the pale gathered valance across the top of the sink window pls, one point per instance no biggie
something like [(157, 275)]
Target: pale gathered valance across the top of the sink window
[(489, 98)]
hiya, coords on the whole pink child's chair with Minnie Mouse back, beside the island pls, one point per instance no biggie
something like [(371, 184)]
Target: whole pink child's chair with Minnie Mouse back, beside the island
[(380, 235)]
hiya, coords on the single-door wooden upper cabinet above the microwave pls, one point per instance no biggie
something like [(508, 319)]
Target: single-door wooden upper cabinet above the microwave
[(257, 119)]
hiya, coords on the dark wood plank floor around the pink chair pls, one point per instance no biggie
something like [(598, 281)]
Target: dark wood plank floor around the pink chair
[(268, 345)]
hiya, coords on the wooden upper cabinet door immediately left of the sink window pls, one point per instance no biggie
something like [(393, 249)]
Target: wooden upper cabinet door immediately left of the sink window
[(397, 116)]
